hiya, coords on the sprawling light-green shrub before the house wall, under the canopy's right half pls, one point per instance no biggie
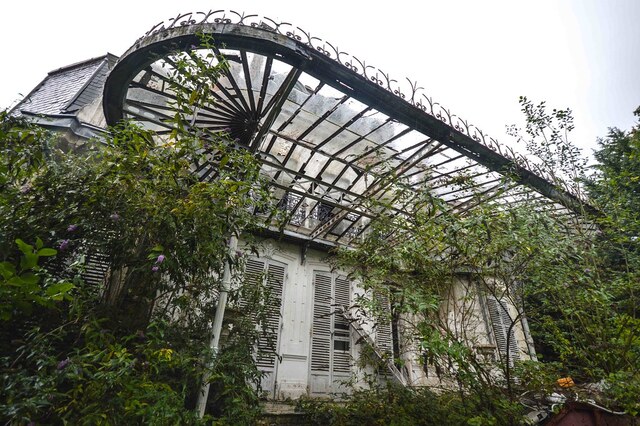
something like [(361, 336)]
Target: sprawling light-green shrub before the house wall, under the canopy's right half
[(433, 257)]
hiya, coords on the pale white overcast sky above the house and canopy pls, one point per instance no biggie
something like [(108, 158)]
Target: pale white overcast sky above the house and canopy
[(474, 57)]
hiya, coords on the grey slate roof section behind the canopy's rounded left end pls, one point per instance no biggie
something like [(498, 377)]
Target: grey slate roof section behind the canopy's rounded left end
[(67, 89)]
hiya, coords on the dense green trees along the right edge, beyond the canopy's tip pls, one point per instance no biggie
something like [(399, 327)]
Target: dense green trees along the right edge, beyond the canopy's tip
[(582, 307)]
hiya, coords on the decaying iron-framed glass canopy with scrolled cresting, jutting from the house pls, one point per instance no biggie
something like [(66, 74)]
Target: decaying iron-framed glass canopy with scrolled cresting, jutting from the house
[(330, 130)]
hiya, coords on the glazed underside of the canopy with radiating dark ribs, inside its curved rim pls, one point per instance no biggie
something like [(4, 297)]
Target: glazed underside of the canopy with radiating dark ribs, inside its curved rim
[(325, 152)]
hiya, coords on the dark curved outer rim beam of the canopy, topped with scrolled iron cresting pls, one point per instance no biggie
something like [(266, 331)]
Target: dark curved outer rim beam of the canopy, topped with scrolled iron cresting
[(362, 82)]
